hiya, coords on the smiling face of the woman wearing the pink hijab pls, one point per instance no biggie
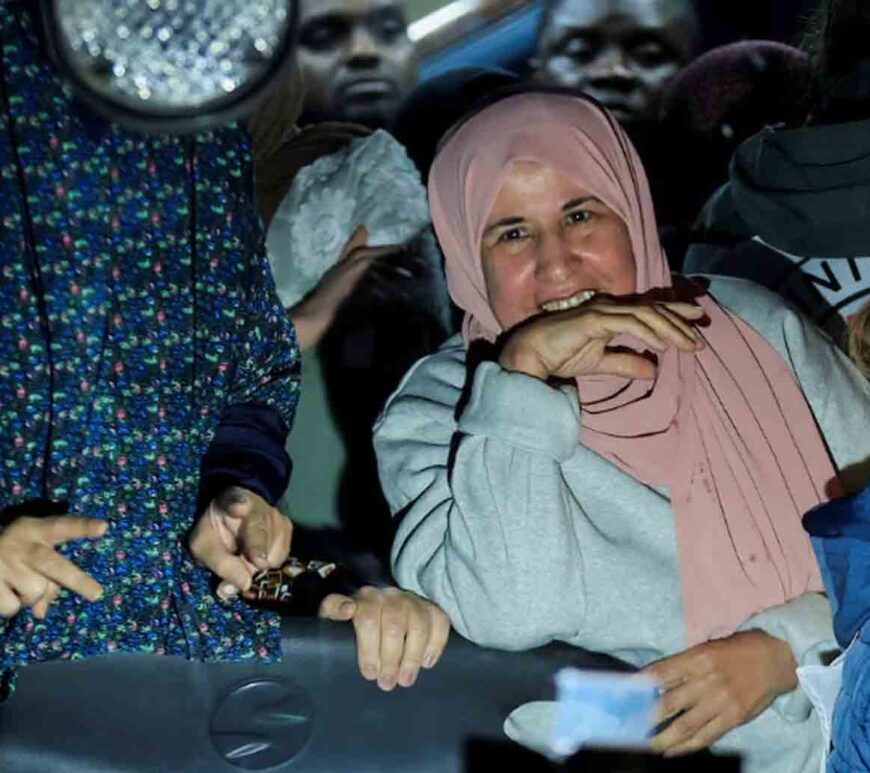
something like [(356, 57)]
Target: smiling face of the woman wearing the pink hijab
[(547, 242)]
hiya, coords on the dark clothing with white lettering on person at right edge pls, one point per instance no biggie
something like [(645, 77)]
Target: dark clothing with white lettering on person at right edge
[(795, 217)]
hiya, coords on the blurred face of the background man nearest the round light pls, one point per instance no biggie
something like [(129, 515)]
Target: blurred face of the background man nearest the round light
[(356, 59)]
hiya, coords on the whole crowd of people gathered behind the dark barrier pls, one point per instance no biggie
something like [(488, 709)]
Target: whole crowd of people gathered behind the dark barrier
[(578, 353)]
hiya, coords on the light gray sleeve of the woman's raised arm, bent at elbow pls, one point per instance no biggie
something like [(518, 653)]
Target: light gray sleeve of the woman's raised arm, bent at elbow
[(474, 493)]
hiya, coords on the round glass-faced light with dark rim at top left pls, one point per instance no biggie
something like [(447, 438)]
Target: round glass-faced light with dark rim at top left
[(170, 65)]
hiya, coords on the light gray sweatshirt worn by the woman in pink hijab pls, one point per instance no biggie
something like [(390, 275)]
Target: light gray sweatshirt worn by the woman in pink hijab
[(524, 536)]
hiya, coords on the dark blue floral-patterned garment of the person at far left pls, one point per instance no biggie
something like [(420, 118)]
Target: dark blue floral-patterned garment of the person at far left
[(136, 307)]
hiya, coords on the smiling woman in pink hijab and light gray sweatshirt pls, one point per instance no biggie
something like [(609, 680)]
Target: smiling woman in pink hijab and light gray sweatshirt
[(626, 466)]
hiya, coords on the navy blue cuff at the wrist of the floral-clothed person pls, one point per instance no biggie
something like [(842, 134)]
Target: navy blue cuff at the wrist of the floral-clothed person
[(248, 451)]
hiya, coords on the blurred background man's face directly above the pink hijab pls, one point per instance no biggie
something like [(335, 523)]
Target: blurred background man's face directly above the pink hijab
[(621, 52)]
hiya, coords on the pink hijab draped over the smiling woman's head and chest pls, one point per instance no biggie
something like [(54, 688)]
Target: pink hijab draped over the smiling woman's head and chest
[(727, 430)]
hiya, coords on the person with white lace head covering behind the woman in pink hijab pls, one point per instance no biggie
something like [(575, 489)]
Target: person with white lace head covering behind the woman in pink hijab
[(356, 265)]
